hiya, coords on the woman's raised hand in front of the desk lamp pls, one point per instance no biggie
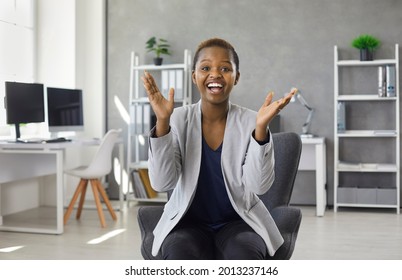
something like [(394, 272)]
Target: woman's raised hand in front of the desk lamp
[(268, 111)]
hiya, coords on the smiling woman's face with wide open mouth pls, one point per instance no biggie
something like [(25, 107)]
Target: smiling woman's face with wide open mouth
[(215, 74)]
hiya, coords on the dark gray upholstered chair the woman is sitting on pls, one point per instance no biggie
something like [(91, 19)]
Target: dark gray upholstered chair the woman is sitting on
[(287, 147)]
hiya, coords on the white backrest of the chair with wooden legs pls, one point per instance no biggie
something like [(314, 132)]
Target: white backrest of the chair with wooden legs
[(101, 163)]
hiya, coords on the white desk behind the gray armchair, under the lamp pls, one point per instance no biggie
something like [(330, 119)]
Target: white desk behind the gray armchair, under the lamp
[(313, 157)]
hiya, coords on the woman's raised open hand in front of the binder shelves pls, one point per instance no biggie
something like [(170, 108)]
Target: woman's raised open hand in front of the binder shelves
[(162, 107)]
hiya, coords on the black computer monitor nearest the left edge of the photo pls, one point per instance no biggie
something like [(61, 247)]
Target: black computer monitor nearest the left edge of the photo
[(24, 103)]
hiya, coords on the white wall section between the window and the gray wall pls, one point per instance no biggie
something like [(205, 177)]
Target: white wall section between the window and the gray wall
[(70, 53)]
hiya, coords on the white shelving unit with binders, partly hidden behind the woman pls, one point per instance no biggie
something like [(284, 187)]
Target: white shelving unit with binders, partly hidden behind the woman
[(141, 116)]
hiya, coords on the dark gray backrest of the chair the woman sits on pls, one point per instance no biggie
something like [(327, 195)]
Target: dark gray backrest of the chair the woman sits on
[(287, 149)]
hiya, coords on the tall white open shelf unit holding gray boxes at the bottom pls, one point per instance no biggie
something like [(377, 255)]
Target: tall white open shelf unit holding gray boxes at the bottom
[(366, 197)]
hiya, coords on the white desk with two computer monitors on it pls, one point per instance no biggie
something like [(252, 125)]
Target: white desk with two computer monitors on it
[(19, 161)]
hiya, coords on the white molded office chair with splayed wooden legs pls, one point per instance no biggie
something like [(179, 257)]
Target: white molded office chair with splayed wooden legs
[(100, 166)]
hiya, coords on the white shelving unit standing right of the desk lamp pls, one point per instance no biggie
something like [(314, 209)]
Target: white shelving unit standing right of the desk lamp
[(361, 181)]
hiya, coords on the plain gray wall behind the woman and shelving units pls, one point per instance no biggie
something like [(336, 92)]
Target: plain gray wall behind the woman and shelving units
[(281, 44)]
